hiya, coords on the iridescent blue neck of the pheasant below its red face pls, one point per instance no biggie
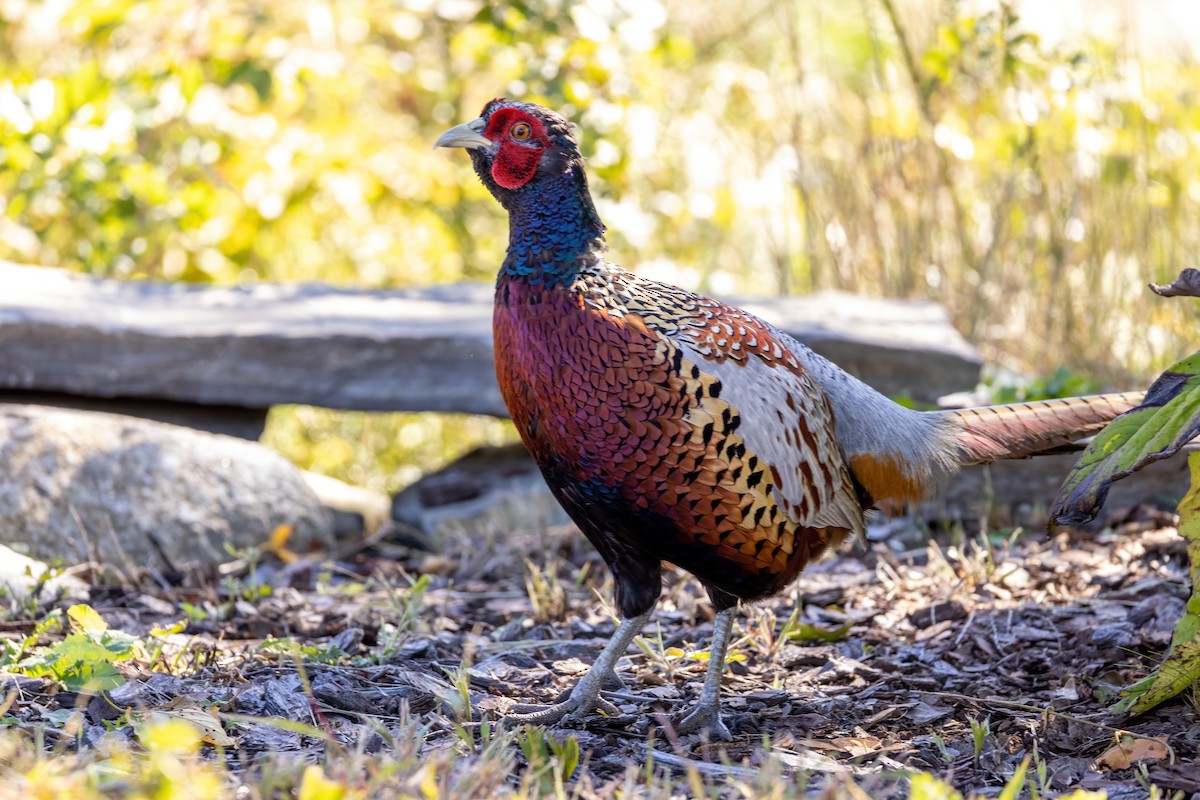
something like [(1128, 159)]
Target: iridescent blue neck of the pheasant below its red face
[(553, 227)]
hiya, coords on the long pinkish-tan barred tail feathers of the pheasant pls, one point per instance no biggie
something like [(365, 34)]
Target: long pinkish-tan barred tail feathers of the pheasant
[(1021, 430)]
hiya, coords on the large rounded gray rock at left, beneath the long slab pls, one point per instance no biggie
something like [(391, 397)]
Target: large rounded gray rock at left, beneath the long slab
[(81, 485)]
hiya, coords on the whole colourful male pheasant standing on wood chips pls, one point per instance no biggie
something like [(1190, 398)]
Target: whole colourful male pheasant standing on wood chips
[(674, 428)]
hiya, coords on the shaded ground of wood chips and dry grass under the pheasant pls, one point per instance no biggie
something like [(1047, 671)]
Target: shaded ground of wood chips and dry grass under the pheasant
[(959, 658)]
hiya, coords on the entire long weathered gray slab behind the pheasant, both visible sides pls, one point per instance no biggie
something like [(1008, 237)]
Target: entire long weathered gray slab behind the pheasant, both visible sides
[(416, 351)]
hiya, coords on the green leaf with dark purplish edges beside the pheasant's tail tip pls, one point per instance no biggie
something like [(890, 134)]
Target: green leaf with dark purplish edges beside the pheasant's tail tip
[(1168, 419)]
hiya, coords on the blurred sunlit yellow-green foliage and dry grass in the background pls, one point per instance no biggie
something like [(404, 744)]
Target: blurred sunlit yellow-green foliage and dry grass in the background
[(929, 149)]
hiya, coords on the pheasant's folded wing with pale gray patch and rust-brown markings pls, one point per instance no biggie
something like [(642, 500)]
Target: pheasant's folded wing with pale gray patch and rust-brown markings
[(791, 462)]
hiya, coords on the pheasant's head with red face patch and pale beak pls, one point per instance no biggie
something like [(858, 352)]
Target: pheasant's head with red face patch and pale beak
[(517, 147)]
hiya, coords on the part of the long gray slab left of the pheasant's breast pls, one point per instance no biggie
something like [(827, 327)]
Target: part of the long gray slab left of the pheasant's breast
[(427, 351)]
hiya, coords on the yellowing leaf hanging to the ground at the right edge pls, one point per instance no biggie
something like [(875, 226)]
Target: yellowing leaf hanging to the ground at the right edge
[(1181, 669)]
